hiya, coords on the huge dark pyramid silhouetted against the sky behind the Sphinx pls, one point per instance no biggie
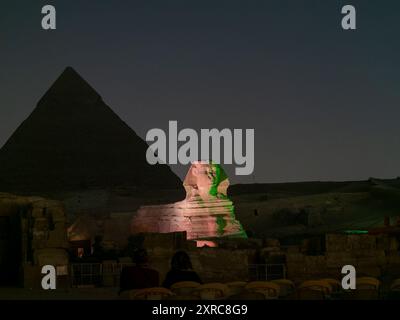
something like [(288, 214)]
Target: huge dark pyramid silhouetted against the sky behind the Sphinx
[(73, 140)]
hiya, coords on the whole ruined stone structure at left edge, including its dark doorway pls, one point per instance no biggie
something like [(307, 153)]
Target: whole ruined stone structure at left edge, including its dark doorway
[(33, 234)]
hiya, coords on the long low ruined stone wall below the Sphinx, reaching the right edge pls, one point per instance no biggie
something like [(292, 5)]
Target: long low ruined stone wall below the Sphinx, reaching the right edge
[(372, 255)]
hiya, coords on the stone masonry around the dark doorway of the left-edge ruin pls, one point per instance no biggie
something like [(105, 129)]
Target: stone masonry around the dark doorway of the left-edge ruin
[(42, 225)]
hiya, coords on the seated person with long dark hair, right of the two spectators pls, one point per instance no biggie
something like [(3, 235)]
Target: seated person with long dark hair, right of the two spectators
[(181, 270)]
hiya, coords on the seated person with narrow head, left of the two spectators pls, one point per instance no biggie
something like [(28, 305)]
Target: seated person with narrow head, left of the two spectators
[(139, 276)]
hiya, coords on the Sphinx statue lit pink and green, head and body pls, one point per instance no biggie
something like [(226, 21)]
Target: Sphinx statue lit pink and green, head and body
[(206, 212)]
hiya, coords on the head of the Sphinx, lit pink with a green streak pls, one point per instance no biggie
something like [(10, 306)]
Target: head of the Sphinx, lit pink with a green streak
[(205, 180)]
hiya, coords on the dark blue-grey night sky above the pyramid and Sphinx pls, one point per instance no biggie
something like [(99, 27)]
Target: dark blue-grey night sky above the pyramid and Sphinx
[(324, 102)]
